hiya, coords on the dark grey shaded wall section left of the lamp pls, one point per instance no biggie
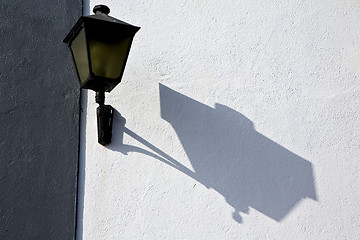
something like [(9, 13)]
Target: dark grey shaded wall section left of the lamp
[(39, 119)]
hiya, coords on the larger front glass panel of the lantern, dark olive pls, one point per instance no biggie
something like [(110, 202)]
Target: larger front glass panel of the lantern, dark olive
[(109, 57)]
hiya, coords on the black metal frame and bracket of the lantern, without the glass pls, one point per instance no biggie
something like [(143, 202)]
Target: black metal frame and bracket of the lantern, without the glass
[(106, 26)]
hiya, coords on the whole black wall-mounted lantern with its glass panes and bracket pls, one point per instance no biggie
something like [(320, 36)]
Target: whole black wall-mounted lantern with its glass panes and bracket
[(100, 46)]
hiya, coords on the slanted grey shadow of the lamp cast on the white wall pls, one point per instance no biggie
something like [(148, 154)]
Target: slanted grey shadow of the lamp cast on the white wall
[(229, 156)]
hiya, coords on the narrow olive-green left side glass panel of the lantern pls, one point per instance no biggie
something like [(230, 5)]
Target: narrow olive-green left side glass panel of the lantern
[(78, 48)]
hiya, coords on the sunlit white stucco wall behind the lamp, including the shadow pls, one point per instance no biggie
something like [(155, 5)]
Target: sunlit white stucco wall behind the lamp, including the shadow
[(242, 122)]
